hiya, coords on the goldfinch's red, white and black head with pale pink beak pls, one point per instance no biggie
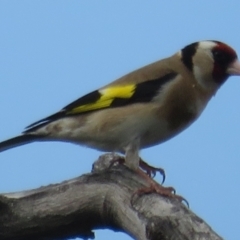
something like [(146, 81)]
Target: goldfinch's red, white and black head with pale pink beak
[(211, 62)]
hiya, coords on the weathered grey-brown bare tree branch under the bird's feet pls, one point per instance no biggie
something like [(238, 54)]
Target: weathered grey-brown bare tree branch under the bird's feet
[(101, 199)]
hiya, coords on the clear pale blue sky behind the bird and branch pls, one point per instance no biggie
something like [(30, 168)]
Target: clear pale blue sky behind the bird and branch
[(52, 52)]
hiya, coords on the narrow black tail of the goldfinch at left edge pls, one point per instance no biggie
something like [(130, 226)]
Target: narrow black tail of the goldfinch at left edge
[(18, 141)]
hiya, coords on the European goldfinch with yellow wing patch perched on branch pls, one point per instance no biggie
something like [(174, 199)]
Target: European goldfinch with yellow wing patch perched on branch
[(143, 108)]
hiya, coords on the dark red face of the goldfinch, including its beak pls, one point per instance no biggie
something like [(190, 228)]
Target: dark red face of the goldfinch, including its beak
[(225, 62)]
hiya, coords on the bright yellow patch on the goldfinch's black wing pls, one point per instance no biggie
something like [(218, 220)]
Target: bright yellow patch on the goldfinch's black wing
[(107, 96)]
